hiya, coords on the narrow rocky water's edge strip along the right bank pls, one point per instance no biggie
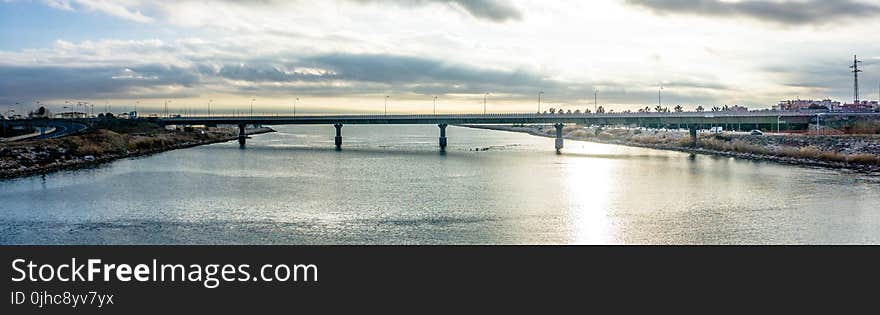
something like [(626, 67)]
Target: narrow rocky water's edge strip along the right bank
[(861, 168)]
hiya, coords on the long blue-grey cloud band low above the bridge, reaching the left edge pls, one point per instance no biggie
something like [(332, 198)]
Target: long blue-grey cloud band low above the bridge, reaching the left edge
[(352, 75)]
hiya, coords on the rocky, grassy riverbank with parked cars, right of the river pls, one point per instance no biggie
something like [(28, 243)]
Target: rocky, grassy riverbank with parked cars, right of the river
[(855, 152)]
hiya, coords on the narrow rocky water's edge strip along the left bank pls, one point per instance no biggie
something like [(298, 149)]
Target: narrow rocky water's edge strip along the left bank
[(81, 162)]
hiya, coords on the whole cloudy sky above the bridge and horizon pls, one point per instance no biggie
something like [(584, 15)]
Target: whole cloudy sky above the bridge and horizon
[(346, 55)]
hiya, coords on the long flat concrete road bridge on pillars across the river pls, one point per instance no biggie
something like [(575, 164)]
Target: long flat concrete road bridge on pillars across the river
[(768, 120)]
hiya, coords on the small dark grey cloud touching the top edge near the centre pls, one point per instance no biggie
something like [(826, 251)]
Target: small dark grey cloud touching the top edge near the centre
[(493, 10)]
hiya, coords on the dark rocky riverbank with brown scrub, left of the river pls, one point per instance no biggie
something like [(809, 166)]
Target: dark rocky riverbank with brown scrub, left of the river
[(104, 145)]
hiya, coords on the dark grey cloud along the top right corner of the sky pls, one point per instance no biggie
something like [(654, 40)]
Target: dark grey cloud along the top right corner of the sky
[(784, 12)]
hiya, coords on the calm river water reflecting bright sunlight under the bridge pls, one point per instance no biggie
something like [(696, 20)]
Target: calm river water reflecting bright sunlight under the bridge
[(391, 185)]
